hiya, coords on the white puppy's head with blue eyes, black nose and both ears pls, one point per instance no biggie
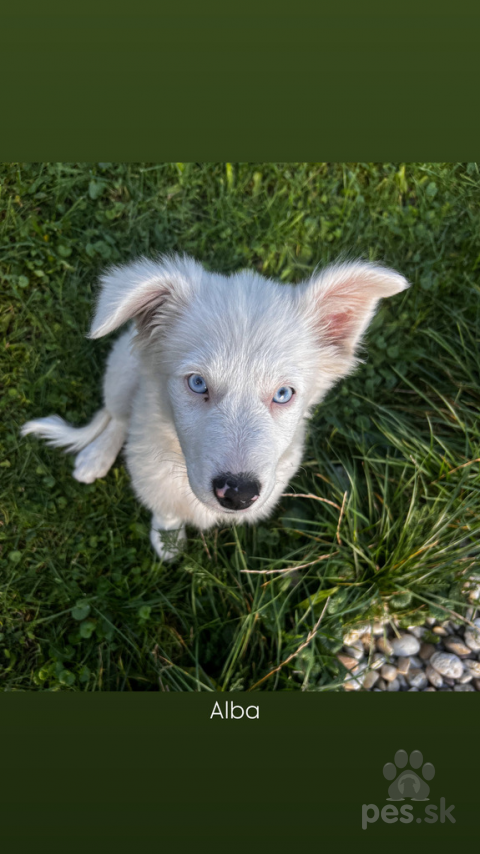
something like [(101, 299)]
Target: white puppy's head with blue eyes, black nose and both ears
[(241, 360)]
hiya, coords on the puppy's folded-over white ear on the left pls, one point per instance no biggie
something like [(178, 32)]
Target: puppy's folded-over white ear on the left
[(145, 290)]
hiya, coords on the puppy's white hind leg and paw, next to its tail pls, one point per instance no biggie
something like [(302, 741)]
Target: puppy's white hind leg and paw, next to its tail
[(119, 385)]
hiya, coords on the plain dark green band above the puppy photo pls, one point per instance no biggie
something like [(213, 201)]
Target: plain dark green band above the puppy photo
[(285, 82)]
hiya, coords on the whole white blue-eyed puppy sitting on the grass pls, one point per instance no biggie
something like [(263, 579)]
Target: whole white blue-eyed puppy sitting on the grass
[(211, 386)]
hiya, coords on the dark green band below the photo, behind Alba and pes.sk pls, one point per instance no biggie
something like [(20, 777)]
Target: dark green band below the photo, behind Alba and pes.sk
[(132, 770)]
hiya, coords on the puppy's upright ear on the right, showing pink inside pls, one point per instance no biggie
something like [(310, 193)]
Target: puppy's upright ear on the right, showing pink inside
[(341, 301)]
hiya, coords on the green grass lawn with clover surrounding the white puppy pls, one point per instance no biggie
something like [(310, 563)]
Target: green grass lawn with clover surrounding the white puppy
[(84, 605)]
